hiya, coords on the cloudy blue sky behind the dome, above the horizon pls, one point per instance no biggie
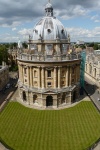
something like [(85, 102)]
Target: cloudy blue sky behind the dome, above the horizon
[(81, 18)]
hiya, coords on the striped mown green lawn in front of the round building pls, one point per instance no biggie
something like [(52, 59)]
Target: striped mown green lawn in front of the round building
[(73, 128)]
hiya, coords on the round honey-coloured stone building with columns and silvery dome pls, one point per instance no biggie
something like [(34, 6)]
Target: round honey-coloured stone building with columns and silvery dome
[(48, 74)]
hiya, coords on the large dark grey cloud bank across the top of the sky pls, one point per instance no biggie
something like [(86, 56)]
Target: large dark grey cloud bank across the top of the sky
[(14, 13)]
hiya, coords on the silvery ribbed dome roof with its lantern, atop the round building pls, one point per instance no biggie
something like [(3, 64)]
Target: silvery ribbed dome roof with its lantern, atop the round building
[(49, 27)]
